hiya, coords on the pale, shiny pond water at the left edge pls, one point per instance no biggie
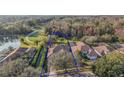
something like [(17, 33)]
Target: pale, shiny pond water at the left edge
[(7, 42)]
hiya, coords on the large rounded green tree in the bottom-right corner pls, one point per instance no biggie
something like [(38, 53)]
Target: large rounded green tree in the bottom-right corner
[(111, 65)]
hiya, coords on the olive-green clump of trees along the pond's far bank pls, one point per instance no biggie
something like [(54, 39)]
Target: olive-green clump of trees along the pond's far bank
[(15, 28)]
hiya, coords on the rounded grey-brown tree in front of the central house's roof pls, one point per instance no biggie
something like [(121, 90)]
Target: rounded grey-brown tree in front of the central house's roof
[(60, 60)]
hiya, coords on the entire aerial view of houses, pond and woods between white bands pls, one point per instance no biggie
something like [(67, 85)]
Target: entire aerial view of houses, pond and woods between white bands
[(62, 46)]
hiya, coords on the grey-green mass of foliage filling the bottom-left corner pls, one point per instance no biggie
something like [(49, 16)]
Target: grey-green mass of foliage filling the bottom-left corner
[(18, 68)]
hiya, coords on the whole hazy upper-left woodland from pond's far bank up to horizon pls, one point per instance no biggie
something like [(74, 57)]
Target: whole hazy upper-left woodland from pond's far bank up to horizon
[(16, 25)]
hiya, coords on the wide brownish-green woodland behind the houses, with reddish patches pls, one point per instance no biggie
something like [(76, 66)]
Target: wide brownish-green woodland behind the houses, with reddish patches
[(101, 27)]
